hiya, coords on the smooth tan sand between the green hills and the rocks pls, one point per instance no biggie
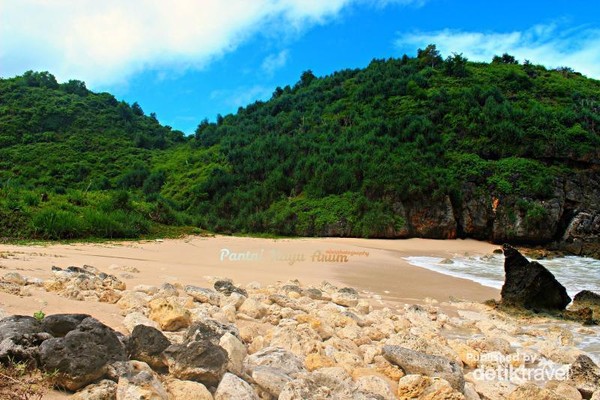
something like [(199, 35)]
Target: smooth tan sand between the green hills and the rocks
[(369, 265)]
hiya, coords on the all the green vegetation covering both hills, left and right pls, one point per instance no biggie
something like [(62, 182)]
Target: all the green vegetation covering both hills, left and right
[(342, 150)]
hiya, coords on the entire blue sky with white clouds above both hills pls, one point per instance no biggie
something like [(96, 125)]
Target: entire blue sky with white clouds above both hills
[(187, 60)]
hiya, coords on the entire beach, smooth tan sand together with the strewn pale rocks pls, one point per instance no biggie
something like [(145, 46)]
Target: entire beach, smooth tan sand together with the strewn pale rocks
[(352, 334)]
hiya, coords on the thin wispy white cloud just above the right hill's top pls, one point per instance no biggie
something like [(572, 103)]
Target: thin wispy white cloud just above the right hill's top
[(550, 45)]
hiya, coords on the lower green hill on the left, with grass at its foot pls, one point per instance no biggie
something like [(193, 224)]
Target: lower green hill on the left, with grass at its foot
[(72, 162)]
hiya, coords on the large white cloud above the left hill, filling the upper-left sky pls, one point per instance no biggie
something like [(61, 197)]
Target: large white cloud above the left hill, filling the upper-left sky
[(105, 42)]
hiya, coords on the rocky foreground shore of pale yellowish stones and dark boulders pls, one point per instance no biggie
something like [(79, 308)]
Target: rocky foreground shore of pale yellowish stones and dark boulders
[(289, 341)]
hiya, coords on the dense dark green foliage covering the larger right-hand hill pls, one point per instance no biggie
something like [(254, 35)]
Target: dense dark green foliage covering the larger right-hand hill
[(400, 130)]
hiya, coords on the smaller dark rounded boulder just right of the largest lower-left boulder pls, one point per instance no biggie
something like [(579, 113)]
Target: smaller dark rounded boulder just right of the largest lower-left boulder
[(147, 344)]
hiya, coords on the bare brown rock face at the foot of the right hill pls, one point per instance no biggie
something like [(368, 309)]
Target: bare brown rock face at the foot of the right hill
[(567, 217)]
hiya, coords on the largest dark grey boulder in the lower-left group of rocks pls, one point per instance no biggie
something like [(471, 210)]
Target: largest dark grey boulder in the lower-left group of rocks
[(83, 354)]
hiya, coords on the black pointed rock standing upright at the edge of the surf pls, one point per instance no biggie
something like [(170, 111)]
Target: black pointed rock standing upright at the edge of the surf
[(530, 285)]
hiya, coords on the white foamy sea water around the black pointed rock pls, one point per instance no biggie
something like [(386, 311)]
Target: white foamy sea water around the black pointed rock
[(575, 274)]
